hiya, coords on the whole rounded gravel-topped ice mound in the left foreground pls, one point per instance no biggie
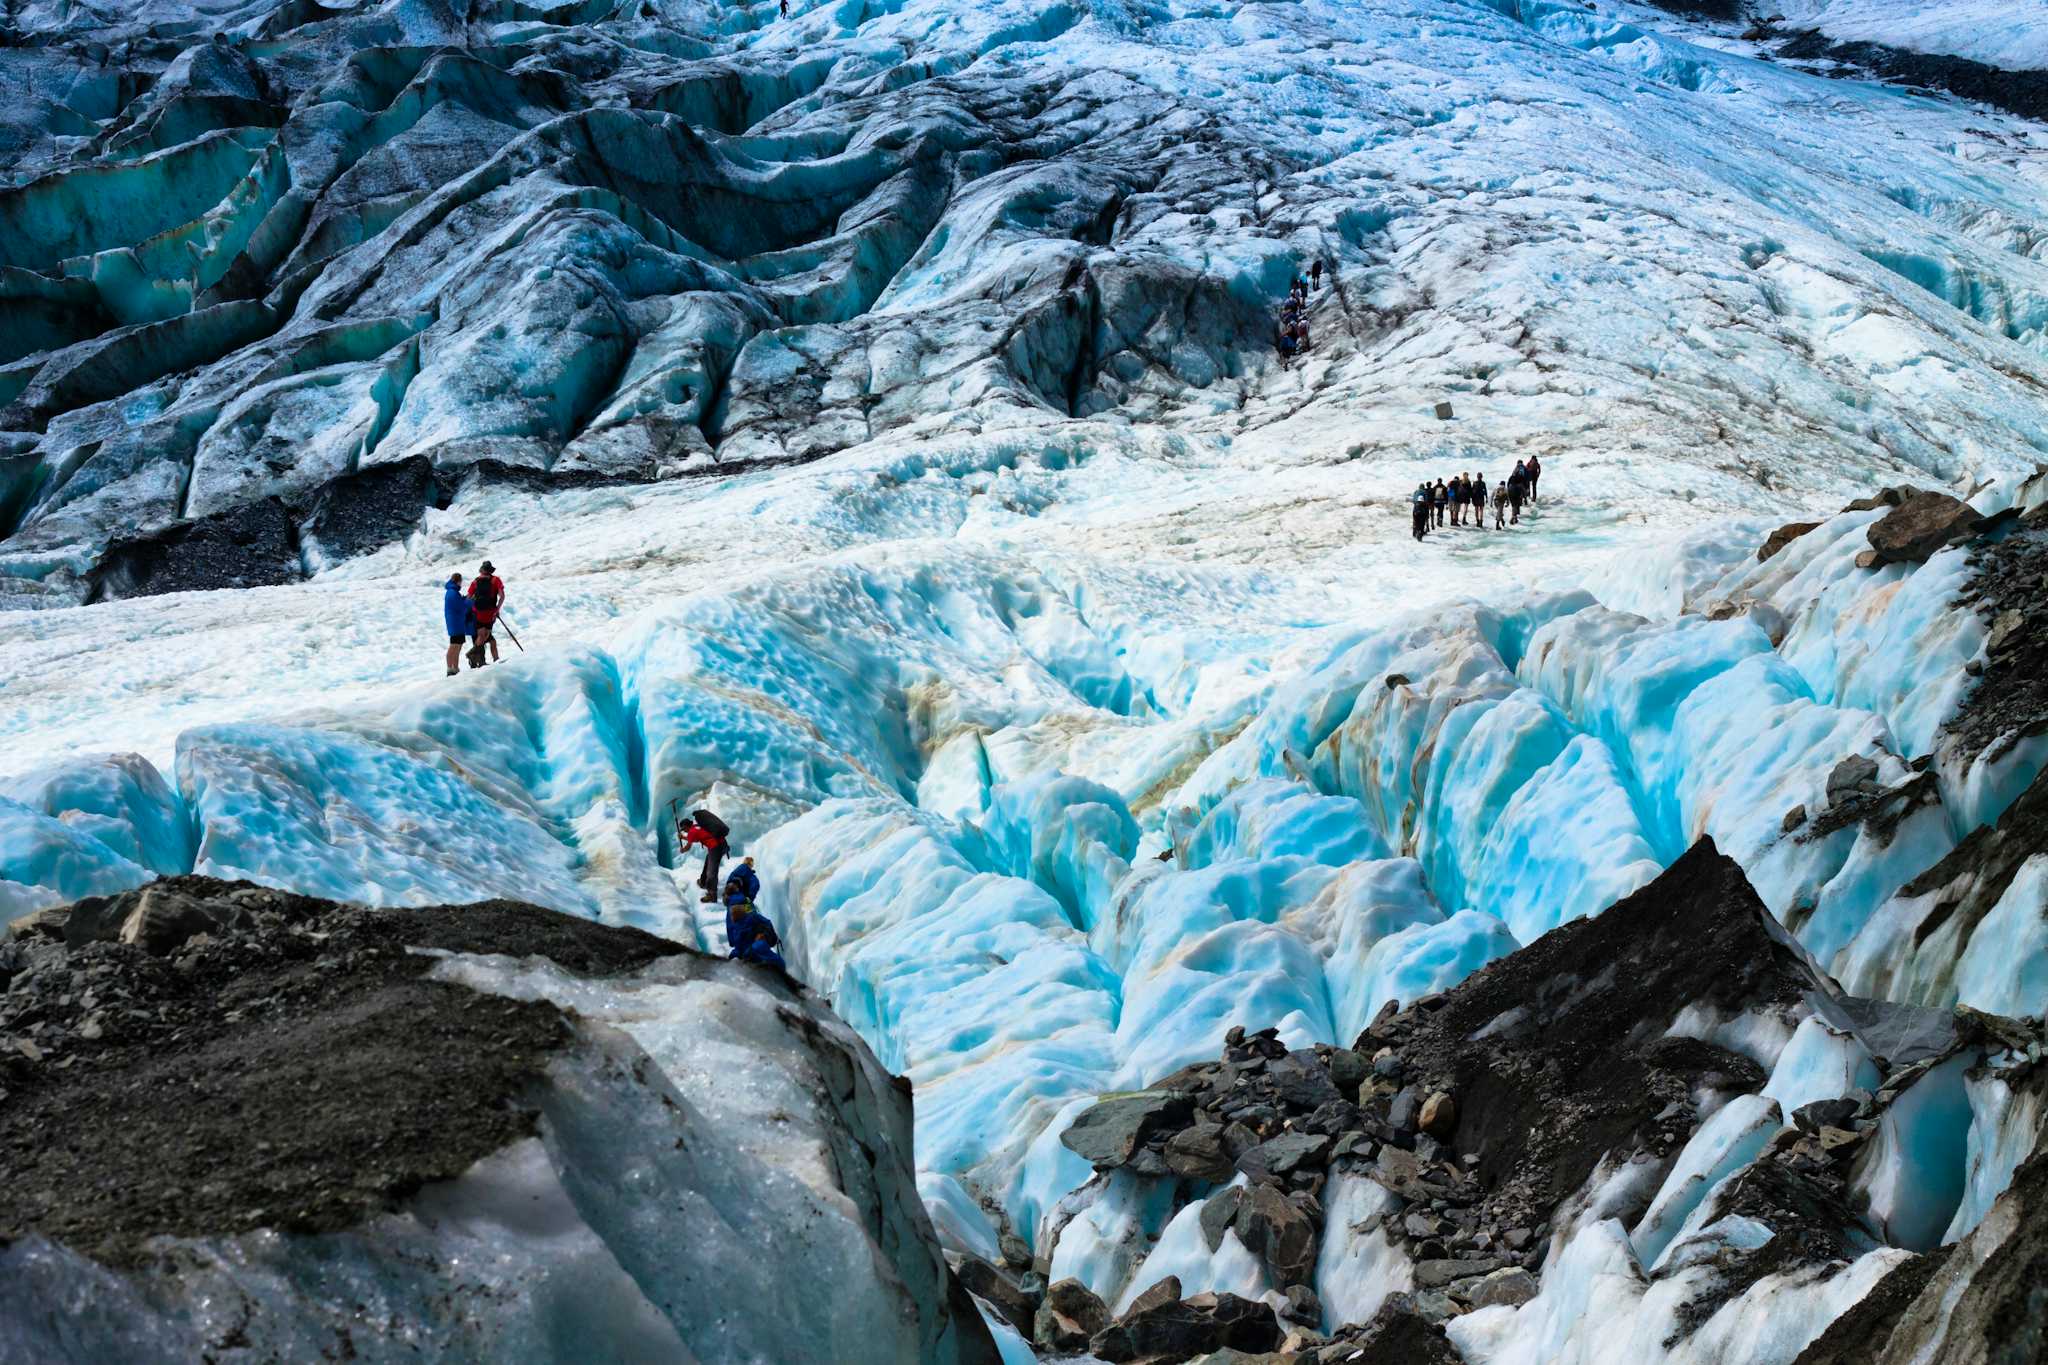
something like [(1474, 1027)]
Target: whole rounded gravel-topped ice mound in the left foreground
[(245, 1127)]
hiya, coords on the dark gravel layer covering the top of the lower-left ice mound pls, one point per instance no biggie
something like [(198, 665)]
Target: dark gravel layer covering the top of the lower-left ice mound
[(253, 1059)]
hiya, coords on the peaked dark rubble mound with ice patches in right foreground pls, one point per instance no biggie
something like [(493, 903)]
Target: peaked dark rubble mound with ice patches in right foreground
[(1605, 1077)]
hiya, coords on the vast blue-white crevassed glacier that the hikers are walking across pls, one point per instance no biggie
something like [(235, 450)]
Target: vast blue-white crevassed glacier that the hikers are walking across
[(1062, 658)]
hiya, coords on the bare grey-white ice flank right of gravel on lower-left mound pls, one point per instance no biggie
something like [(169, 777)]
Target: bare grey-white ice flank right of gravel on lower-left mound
[(826, 1151)]
